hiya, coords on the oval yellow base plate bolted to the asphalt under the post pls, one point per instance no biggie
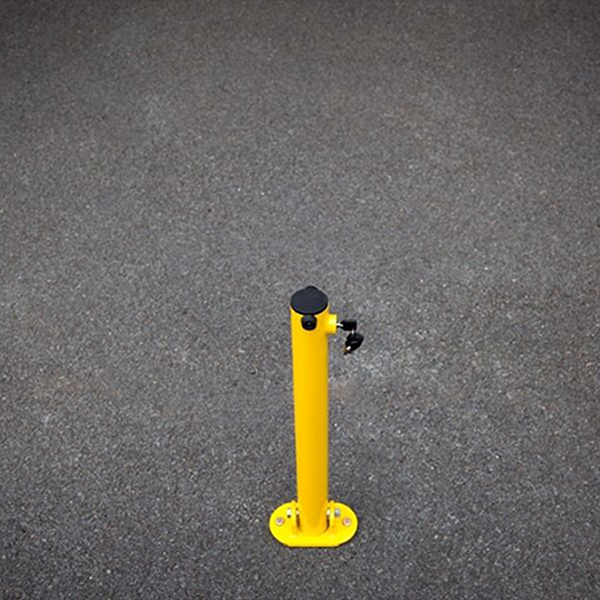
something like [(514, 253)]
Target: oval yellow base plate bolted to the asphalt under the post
[(343, 524)]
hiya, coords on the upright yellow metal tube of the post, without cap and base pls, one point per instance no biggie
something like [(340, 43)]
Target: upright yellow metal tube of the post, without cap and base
[(310, 379)]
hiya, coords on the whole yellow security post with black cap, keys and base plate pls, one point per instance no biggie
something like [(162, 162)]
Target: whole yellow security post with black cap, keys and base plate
[(313, 519)]
